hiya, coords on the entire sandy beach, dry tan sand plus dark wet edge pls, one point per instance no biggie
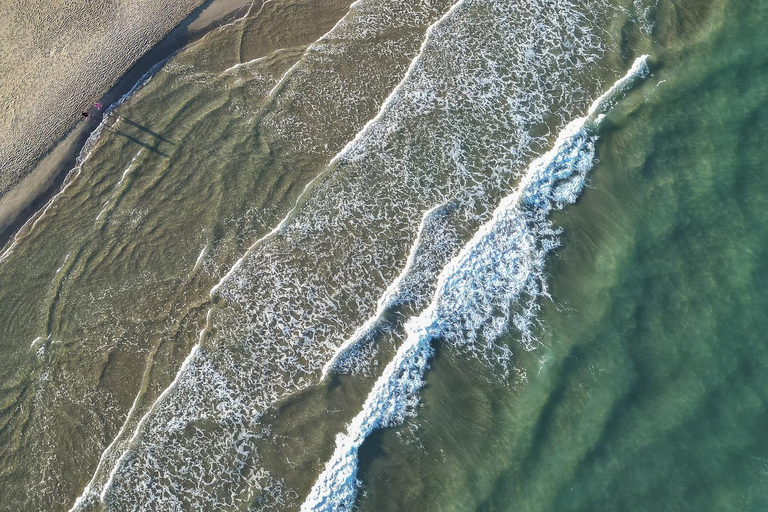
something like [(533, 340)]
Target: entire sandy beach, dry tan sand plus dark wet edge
[(57, 59)]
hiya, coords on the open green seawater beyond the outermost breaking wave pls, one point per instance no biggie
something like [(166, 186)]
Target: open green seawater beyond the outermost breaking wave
[(649, 392)]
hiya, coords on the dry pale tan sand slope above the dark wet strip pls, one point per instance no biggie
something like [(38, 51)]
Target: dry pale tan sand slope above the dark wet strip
[(56, 59)]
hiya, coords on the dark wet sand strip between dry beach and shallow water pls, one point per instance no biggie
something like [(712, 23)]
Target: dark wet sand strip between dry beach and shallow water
[(47, 177)]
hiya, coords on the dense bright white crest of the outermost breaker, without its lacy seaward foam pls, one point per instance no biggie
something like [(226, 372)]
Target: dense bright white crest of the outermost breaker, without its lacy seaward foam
[(551, 181)]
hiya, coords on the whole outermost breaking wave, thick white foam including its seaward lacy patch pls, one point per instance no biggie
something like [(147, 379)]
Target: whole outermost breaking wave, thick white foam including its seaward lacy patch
[(501, 264)]
